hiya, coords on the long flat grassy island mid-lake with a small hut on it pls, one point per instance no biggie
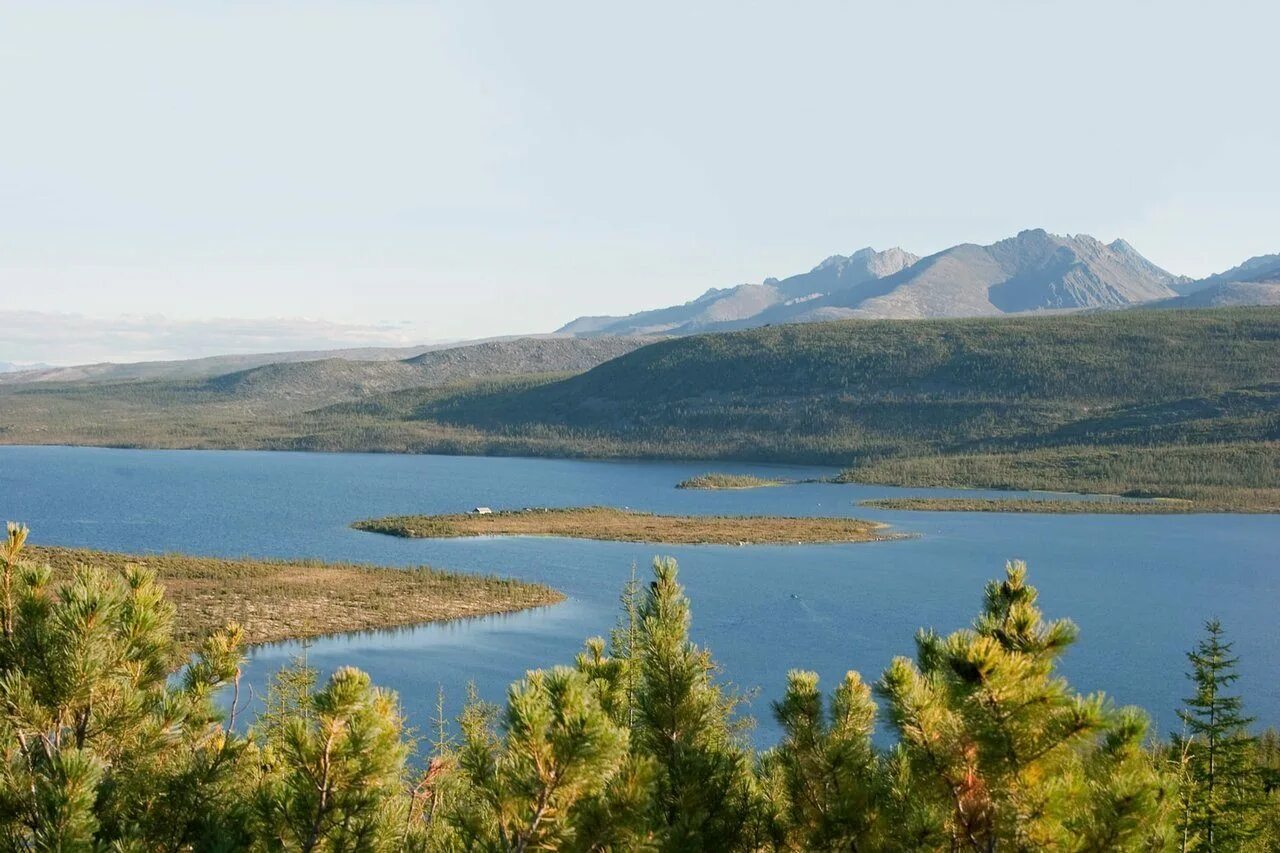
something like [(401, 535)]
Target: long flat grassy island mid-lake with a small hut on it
[(627, 526)]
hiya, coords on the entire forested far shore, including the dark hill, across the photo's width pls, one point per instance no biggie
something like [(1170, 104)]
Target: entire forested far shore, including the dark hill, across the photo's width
[(1180, 404)]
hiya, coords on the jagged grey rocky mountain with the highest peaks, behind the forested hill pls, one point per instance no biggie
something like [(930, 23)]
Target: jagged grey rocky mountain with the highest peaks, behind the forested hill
[(1032, 272)]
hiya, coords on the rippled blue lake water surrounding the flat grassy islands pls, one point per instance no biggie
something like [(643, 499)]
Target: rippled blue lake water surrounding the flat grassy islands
[(1140, 587)]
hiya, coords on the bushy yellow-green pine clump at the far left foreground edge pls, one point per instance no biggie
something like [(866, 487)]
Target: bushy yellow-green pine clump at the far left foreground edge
[(99, 747)]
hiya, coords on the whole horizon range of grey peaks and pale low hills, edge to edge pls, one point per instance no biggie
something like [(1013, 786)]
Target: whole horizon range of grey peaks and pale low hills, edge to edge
[(1034, 272)]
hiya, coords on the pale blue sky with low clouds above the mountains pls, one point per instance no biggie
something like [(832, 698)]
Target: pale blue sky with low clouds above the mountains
[(339, 174)]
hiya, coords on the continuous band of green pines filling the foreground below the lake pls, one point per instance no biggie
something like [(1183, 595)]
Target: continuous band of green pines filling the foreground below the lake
[(634, 747)]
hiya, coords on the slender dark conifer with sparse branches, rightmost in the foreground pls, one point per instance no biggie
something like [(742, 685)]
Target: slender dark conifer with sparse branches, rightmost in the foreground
[(1224, 791)]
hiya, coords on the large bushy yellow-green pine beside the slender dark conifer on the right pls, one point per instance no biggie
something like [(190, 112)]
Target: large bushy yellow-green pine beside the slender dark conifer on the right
[(1002, 751)]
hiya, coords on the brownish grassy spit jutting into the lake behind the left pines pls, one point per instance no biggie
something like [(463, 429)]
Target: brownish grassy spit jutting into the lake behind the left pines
[(277, 600)]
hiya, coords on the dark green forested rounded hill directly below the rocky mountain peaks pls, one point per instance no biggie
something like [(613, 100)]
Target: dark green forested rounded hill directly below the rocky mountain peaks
[(858, 387)]
